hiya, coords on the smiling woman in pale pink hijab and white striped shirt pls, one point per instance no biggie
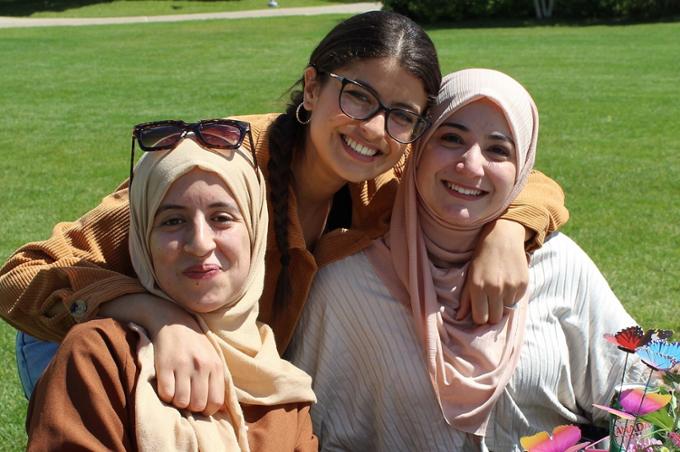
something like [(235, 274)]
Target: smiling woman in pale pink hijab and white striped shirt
[(393, 367)]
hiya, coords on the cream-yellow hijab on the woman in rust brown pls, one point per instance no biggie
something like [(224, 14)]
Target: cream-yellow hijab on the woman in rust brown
[(254, 372)]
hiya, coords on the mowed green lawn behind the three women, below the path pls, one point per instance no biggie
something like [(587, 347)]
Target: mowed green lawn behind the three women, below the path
[(609, 98)]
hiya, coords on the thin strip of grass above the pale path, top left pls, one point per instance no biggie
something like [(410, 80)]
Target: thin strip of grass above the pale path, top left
[(120, 8)]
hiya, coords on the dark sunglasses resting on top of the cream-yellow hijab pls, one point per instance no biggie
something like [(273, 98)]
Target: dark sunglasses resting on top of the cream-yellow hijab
[(211, 133)]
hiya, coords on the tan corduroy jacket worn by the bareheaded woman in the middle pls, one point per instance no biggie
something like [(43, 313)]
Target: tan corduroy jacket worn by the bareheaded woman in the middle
[(48, 286)]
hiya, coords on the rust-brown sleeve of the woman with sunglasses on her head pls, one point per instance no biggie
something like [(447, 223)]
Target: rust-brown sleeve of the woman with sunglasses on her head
[(85, 399)]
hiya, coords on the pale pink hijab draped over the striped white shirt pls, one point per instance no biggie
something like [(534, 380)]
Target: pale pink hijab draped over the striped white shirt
[(469, 365)]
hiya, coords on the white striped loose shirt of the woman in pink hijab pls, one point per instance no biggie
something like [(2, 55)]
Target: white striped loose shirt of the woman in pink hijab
[(370, 377)]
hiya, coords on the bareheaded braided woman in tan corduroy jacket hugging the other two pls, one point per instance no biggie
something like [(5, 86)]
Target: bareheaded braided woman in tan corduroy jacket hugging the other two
[(332, 162)]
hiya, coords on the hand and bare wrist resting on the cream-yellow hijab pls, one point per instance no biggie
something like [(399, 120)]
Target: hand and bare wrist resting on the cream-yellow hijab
[(189, 371)]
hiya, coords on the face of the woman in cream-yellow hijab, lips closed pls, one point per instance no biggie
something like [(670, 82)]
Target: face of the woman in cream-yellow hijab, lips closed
[(199, 243)]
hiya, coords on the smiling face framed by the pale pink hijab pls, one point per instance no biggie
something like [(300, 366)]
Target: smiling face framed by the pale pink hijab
[(468, 166)]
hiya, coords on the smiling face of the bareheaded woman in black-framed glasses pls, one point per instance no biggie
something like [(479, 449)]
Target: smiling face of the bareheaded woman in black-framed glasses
[(346, 149)]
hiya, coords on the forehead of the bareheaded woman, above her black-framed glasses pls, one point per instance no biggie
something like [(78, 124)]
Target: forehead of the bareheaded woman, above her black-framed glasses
[(389, 78)]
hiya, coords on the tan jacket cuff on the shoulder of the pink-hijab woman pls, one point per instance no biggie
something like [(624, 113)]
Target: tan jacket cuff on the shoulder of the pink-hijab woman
[(539, 207)]
